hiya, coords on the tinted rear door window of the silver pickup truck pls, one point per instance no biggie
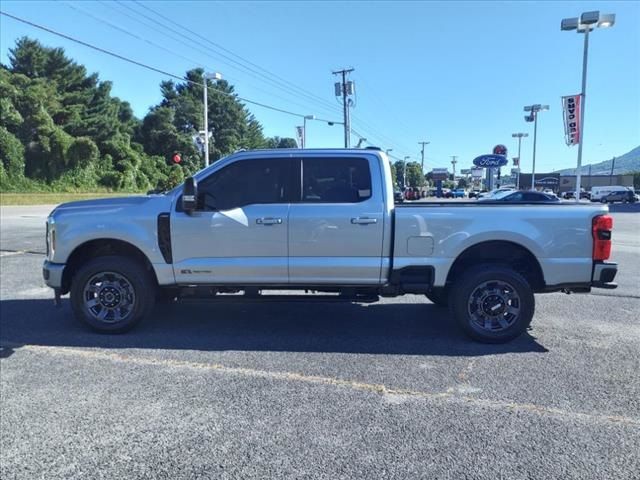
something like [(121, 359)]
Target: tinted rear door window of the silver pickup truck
[(335, 180)]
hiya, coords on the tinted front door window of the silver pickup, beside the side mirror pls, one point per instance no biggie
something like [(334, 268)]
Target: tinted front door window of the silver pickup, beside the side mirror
[(245, 182)]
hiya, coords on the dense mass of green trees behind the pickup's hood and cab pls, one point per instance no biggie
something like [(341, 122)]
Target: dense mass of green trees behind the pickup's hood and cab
[(61, 126)]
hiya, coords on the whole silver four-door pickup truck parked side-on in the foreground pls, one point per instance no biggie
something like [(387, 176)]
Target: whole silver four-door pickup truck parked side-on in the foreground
[(322, 222)]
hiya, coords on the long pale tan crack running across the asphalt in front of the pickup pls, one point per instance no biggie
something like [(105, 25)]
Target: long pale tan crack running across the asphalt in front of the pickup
[(447, 396)]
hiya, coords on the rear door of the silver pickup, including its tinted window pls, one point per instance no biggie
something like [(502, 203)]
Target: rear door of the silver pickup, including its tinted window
[(336, 228)]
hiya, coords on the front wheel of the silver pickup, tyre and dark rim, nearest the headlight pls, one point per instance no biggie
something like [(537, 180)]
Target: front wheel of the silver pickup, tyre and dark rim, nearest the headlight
[(112, 294)]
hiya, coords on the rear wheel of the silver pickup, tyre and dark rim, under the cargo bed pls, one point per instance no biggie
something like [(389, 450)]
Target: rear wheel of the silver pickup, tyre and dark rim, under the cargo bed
[(493, 304)]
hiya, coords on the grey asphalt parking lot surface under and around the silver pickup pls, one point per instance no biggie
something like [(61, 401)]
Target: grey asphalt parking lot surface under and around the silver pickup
[(331, 391)]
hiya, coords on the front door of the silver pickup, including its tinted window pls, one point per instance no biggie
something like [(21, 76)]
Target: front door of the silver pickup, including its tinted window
[(238, 234)]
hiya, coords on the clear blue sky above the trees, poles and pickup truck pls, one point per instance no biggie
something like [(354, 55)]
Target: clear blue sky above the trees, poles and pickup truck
[(456, 74)]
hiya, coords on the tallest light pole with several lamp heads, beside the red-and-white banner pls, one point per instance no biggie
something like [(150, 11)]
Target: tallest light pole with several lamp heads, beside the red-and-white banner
[(584, 24)]
